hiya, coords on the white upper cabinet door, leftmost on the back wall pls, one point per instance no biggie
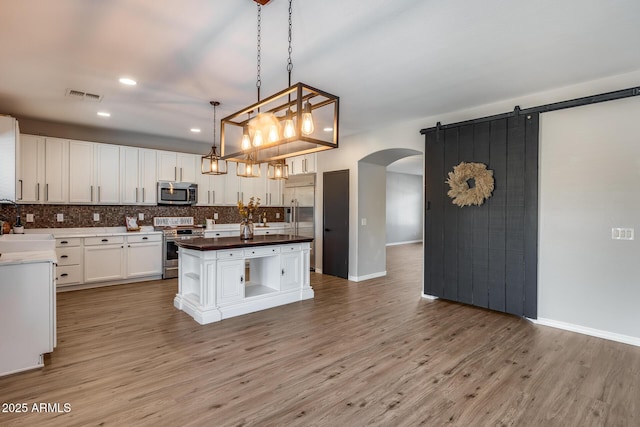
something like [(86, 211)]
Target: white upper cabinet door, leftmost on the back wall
[(30, 172)]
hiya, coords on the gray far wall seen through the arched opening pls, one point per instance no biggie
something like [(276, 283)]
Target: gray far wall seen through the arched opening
[(404, 208)]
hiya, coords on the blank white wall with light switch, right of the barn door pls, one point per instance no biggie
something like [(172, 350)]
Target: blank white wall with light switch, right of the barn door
[(589, 183)]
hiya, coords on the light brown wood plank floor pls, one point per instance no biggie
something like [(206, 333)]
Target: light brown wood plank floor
[(368, 353)]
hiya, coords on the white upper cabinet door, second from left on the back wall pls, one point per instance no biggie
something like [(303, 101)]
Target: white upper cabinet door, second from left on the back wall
[(56, 169)]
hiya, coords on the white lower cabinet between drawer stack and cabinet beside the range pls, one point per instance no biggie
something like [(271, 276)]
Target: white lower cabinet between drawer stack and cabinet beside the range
[(104, 259)]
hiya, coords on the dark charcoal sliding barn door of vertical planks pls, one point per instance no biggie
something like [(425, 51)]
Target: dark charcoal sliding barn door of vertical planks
[(484, 255)]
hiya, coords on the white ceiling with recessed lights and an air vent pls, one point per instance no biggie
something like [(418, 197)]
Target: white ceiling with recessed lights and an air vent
[(387, 60)]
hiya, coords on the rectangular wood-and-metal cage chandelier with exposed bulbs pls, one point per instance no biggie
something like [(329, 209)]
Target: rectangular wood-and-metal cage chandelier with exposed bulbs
[(298, 120)]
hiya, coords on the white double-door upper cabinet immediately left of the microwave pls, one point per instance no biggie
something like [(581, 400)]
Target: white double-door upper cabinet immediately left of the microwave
[(138, 176)]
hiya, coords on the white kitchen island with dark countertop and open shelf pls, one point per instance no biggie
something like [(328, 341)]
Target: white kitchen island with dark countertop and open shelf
[(226, 277)]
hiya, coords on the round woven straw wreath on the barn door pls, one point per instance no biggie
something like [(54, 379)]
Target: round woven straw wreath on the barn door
[(458, 180)]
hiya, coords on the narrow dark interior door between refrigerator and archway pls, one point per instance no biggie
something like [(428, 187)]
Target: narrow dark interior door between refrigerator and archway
[(335, 223)]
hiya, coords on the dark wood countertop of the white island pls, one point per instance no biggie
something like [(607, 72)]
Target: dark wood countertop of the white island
[(217, 243)]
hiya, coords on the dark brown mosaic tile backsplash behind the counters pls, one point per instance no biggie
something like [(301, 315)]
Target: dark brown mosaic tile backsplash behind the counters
[(45, 216)]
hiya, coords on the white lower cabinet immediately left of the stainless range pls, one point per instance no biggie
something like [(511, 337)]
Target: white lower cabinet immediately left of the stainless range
[(143, 255)]
